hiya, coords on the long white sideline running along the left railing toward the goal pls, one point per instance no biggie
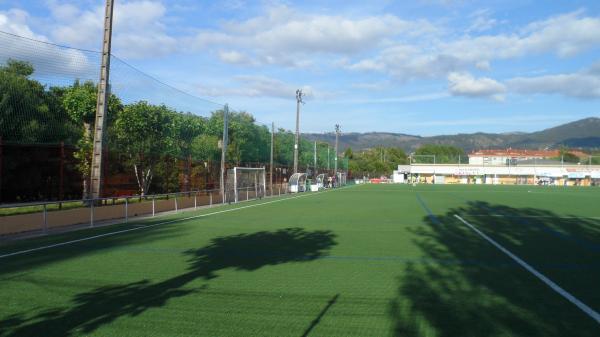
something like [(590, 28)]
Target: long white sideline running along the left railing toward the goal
[(154, 225)]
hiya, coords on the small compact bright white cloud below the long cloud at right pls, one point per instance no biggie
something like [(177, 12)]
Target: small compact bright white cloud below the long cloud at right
[(463, 84)]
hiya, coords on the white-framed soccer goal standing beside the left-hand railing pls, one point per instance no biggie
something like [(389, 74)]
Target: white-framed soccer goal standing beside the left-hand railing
[(244, 183)]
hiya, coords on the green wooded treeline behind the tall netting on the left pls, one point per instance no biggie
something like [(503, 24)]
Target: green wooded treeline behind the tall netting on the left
[(159, 148)]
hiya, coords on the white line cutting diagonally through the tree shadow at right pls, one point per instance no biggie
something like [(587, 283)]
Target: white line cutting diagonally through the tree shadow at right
[(584, 307)]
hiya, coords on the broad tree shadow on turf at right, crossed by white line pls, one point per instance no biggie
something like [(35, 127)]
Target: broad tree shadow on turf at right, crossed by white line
[(467, 287)]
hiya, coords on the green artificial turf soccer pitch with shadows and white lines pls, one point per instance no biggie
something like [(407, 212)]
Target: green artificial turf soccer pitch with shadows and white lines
[(374, 260)]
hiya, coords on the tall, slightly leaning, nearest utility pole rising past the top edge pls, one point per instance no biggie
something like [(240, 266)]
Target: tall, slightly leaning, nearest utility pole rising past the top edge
[(101, 104)]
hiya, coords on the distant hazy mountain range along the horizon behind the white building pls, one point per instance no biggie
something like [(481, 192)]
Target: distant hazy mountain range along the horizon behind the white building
[(584, 133)]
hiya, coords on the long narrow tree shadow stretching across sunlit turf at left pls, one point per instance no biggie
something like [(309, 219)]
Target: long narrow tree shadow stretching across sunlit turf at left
[(248, 252)]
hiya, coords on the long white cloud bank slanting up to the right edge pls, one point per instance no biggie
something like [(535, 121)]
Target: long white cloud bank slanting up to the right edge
[(564, 35)]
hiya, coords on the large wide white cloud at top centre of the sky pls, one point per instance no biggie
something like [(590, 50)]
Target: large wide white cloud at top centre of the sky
[(282, 34)]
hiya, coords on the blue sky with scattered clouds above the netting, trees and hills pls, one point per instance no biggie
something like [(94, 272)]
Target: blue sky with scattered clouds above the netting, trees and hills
[(420, 67)]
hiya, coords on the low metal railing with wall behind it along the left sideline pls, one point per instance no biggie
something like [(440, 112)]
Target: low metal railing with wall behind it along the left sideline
[(48, 216)]
